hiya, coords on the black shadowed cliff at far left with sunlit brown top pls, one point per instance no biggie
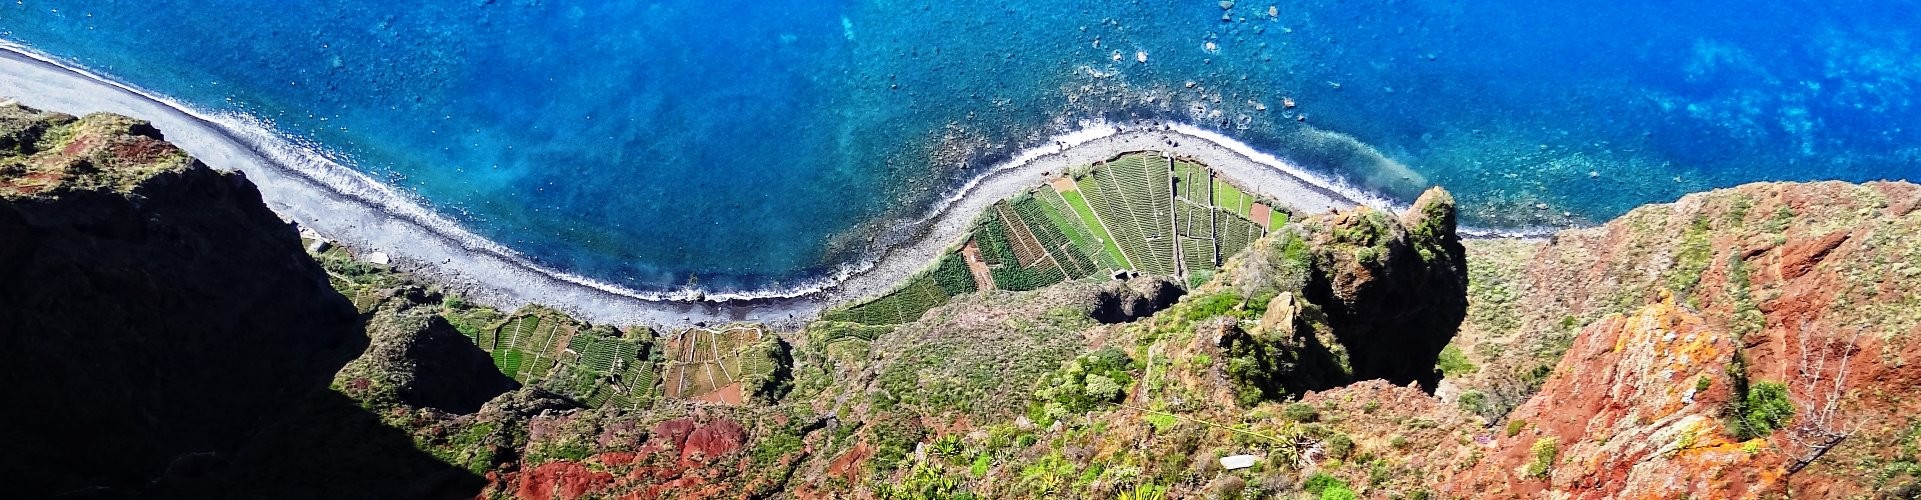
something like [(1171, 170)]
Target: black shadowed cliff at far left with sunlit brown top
[(158, 320)]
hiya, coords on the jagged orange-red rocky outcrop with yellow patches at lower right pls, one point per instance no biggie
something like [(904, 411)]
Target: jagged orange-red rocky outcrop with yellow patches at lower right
[(1636, 409)]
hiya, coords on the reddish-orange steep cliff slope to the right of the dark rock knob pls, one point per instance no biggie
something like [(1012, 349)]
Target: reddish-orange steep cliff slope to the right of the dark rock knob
[(1738, 343)]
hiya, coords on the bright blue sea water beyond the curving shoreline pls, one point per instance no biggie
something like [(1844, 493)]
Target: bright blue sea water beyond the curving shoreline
[(742, 143)]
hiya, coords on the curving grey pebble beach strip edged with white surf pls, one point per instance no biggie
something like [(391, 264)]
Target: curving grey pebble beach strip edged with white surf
[(304, 186)]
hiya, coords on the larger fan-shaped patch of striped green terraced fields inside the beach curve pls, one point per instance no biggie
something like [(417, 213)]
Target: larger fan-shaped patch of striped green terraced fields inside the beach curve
[(1138, 212)]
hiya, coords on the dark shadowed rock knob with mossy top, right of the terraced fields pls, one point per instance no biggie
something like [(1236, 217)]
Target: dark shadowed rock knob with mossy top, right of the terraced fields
[(1344, 297)]
